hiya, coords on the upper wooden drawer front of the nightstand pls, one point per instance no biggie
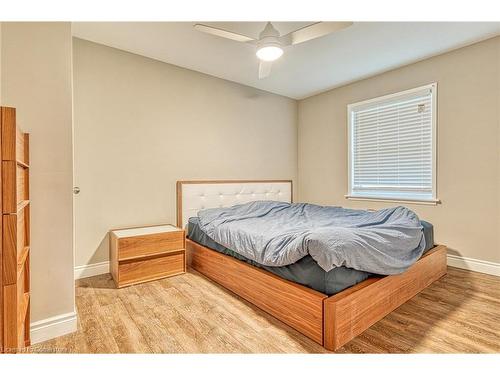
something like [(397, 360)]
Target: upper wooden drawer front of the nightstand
[(140, 246)]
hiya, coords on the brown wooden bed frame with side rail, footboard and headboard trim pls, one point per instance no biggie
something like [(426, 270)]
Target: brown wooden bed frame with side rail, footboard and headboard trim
[(329, 321)]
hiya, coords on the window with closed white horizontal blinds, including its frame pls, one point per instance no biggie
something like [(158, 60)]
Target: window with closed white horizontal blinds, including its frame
[(392, 147)]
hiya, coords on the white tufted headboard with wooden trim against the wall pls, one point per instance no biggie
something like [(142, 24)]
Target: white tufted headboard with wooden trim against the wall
[(193, 196)]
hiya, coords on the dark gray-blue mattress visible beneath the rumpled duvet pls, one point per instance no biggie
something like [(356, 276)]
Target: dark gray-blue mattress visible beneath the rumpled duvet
[(306, 271)]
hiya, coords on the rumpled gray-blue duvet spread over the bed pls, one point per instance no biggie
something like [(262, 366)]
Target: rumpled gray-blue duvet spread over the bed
[(277, 234)]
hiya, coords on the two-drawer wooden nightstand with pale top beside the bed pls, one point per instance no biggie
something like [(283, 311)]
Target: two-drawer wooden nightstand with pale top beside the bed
[(146, 253)]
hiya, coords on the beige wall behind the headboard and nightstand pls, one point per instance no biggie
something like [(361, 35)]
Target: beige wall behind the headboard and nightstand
[(141, 124)]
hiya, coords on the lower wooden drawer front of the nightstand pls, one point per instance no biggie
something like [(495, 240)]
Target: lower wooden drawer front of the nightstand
[(135, 271)]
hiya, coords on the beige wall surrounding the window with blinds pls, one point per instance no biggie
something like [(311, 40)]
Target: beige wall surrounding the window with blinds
[(468, 145)]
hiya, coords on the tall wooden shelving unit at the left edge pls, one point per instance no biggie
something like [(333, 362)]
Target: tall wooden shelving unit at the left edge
[(15, 231)]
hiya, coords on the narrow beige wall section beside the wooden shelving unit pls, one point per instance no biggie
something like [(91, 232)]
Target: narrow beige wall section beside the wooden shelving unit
[(36, 79)]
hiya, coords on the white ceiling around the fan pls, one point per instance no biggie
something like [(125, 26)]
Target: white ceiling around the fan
[(360, 51)]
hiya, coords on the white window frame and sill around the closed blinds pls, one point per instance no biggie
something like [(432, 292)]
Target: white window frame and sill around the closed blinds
[(351, 107)]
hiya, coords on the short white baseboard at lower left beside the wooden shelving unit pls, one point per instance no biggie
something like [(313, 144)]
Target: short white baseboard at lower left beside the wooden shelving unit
[(52, 327)]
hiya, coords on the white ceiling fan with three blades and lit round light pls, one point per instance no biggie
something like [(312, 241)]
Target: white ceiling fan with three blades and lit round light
[(270, 43)]
